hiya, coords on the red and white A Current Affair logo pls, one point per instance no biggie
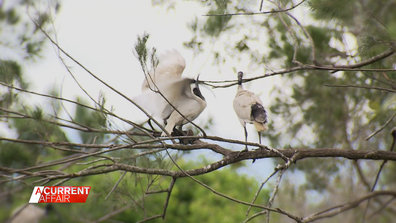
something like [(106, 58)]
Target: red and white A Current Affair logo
[(60, 194)]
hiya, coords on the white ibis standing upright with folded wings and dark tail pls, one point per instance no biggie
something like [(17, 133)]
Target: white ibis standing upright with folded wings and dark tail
[(249, 109)]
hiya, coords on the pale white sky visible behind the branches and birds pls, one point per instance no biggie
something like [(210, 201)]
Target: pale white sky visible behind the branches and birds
[(101, 35)]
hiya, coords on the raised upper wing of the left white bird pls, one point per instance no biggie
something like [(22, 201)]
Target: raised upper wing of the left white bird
[(171, 66)]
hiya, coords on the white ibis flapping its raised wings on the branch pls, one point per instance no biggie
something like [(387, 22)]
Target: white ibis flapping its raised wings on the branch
[(170, 97)]
